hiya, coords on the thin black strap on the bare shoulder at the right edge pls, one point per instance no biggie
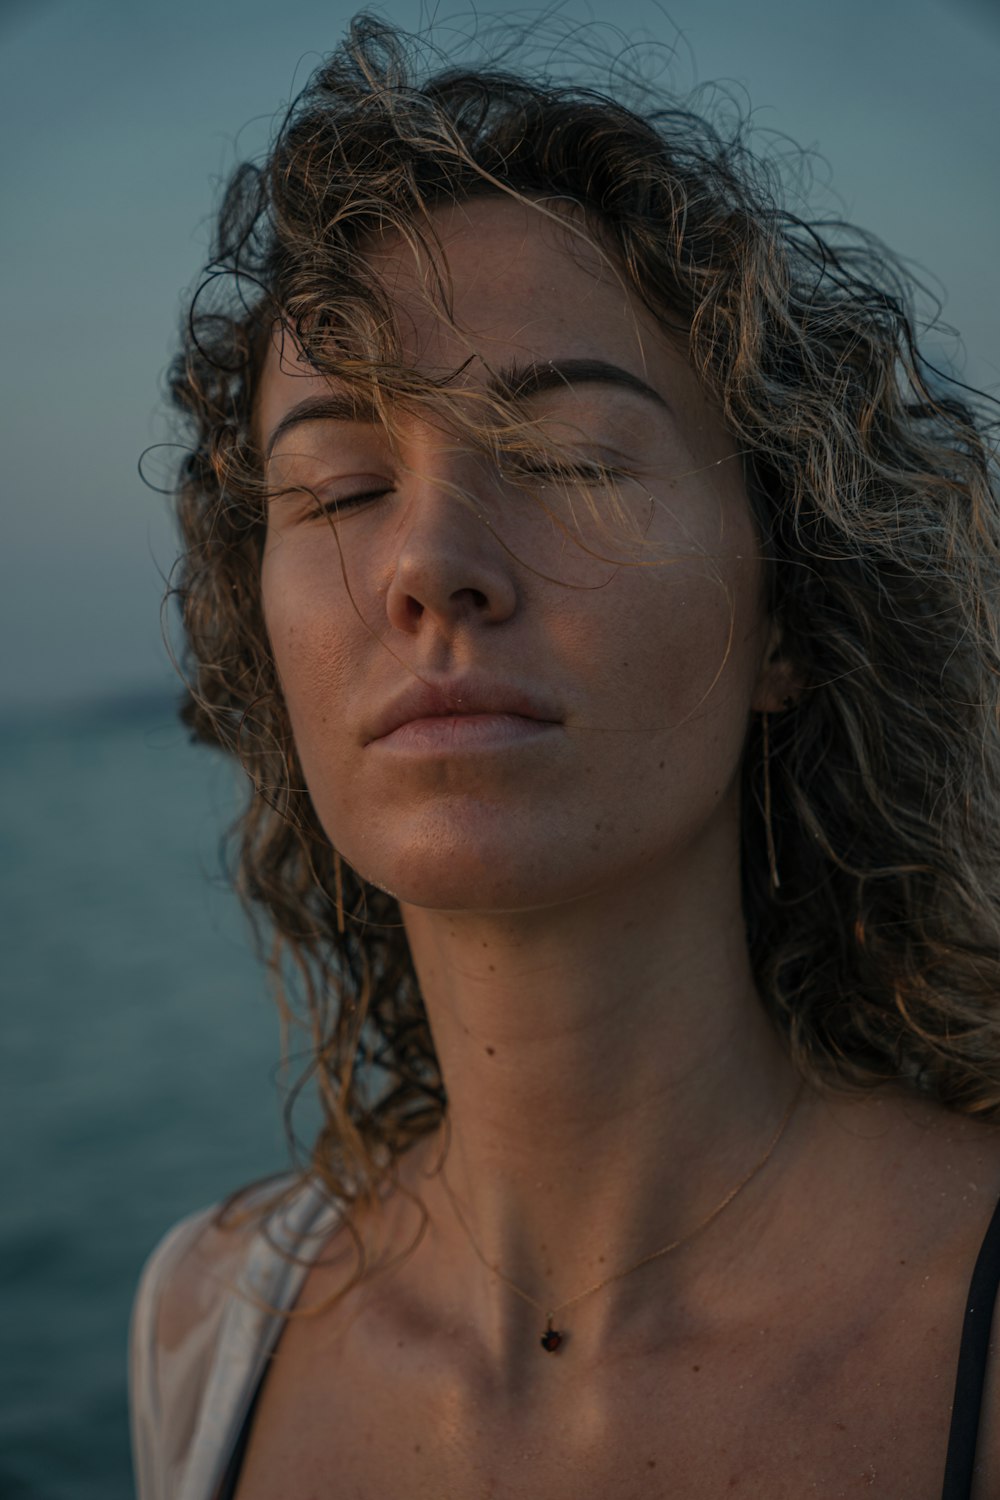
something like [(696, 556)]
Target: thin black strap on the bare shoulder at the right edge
[(972, 1367)]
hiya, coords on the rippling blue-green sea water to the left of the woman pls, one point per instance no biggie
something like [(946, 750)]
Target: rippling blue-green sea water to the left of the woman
[(139, 1070)]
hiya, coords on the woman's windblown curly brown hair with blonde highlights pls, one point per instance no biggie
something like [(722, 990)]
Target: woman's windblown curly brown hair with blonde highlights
[(872, 484)]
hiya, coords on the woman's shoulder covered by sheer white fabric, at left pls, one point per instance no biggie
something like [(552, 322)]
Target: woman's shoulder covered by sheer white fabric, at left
[(208, 1297)]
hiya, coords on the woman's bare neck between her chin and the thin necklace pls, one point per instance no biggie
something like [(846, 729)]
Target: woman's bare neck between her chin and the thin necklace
[(611, 1078)]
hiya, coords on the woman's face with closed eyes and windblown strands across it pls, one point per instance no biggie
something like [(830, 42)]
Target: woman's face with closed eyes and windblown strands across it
[(497, 709)]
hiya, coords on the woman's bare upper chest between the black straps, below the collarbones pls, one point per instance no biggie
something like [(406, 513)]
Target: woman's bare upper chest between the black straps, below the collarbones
[(828, 1405)]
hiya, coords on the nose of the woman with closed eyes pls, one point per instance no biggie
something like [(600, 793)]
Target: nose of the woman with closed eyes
[(451, 569)]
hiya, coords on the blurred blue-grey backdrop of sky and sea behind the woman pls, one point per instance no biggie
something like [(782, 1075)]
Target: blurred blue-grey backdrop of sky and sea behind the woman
[(139, 1042)]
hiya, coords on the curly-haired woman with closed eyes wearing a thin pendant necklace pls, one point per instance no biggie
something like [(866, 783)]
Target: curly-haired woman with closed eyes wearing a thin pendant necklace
[(603, 605)]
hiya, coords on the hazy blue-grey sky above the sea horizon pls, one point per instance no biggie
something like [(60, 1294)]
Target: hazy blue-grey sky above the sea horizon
[(119, 121)]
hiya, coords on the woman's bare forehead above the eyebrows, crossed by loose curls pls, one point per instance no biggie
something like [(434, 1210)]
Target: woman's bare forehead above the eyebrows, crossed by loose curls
[(522, 283)]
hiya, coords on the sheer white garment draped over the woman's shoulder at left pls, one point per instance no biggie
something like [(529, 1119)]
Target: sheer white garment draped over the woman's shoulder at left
[(197, 1357)]
